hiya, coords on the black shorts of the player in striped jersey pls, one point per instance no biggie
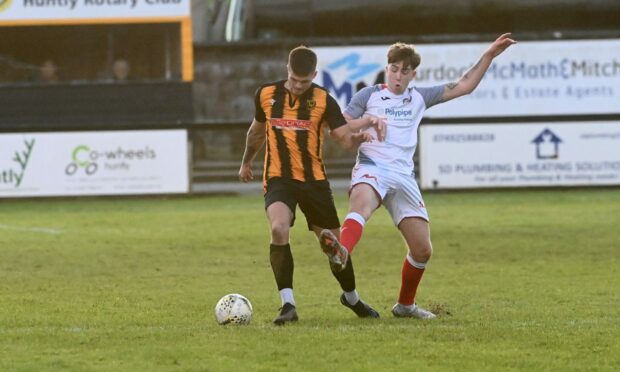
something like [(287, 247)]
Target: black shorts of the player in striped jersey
[(315, 200)]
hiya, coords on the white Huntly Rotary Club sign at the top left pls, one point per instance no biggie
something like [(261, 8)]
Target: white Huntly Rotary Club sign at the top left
[(30, 10)]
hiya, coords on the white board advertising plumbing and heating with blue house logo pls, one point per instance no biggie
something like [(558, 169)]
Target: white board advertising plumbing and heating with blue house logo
[(514, 155)]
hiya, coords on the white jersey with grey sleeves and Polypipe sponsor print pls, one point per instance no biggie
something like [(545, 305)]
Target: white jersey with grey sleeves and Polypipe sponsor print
[(402, 113)]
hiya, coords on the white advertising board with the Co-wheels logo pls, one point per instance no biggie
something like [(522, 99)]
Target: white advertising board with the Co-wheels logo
[(93, 163)]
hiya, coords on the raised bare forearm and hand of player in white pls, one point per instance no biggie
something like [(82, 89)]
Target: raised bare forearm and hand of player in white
[(470, 80)]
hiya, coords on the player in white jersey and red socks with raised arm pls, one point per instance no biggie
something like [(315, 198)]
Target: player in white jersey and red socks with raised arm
[(383, 173)]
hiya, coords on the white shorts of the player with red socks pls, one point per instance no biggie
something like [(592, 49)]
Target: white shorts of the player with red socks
[(399, 192)]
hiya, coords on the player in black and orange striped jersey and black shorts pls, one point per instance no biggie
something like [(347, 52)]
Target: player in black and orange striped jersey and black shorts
[(291, 118)]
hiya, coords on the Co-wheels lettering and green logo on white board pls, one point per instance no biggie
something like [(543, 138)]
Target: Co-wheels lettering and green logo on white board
[(90, 161)]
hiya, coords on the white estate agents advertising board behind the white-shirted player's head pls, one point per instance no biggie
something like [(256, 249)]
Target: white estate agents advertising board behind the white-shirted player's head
[(529, 79)]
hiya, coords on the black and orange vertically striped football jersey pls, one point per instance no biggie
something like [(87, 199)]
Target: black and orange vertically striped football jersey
[(294, 130)]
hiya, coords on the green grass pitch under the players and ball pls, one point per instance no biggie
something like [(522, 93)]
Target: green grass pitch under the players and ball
[(523, 280)]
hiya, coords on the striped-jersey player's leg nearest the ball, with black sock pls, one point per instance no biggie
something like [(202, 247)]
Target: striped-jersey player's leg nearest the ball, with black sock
[(280, 206)]
